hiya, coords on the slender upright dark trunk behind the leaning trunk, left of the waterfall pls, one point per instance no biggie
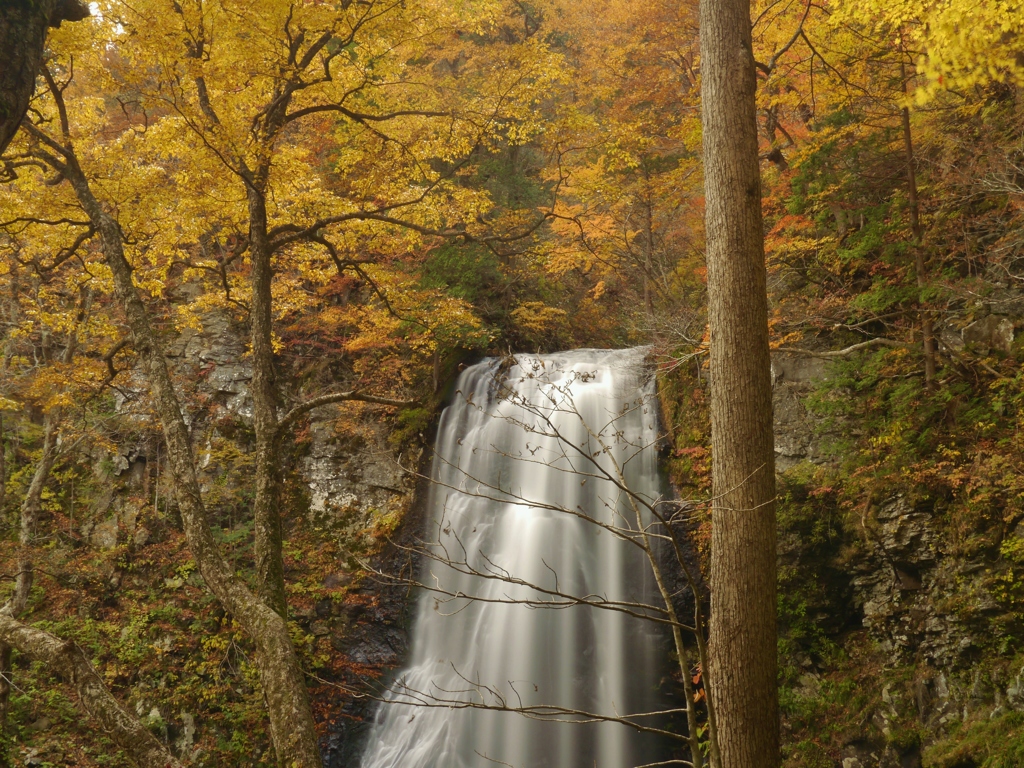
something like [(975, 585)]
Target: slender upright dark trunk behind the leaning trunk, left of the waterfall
[(267, 507)]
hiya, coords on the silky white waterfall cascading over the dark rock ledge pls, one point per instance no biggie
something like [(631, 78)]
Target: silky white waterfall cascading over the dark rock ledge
[(504, 528)]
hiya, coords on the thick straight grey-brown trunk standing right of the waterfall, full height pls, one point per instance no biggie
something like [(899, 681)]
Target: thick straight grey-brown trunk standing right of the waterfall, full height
[(743, 644)]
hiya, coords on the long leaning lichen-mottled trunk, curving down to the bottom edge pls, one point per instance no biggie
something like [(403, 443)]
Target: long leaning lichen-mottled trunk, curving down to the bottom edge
[(292, 728)]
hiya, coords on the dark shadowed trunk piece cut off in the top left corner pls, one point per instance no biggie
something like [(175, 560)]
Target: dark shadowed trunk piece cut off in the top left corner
[(23, 37)]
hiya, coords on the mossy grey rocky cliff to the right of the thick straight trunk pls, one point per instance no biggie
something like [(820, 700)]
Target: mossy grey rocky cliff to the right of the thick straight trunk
[(901, 606)]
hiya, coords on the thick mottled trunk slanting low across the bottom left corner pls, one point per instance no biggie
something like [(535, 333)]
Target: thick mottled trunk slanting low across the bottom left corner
[(68, 661)]
